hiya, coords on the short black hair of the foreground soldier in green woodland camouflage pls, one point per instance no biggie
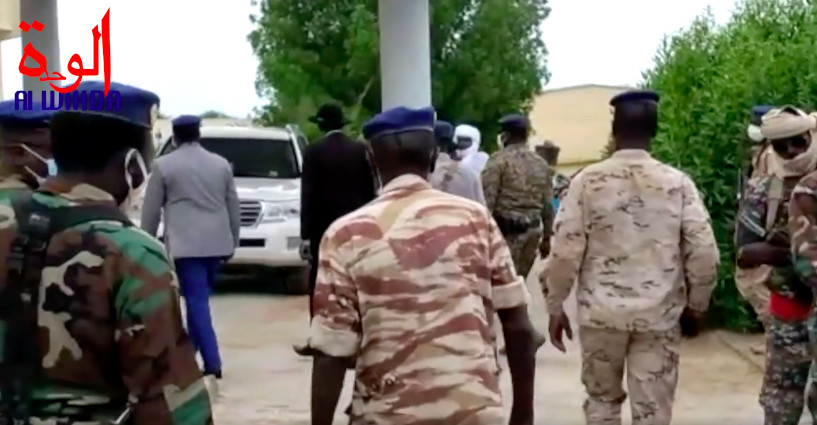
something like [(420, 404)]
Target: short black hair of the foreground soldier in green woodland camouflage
[(83, 142)]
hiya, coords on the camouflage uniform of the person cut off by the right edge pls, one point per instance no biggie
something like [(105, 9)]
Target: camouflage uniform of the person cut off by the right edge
[(803, 231)]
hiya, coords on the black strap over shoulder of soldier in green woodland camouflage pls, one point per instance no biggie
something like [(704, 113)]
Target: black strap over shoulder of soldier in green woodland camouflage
[(21, 361)]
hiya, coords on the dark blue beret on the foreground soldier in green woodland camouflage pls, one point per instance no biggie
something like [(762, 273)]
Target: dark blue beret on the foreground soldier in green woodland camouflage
[(136, 103)]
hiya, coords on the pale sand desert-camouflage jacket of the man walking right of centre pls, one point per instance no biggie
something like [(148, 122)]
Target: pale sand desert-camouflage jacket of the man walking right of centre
[(635, 235)]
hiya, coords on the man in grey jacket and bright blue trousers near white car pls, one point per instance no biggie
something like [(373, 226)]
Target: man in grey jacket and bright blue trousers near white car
[(196, 190)]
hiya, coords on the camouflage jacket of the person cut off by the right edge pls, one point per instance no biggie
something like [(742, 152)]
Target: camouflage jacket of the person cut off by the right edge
[(803, 230)]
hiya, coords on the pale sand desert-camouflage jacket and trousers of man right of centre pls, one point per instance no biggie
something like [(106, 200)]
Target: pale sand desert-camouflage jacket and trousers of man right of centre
[(641, 253)]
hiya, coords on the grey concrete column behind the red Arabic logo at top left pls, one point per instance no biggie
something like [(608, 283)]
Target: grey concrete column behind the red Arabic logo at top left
[(46, 41)]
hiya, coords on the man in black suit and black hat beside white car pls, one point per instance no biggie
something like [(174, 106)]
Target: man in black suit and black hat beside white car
[(337, 179)]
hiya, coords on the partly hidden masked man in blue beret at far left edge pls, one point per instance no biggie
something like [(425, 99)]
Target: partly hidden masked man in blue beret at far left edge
[(26, 148)]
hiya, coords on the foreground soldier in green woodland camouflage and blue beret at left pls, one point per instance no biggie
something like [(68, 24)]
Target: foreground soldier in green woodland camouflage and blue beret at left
[(100, 293)]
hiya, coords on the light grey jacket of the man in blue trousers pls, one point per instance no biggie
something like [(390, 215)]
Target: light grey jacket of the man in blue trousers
[(201, 210)]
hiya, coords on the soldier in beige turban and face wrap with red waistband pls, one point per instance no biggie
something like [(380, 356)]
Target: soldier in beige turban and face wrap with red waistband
[(763, 239)]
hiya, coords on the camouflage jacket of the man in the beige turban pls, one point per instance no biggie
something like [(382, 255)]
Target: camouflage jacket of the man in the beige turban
[(755, 225)]
